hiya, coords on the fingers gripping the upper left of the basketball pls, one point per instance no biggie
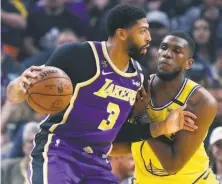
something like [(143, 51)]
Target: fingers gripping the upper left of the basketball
[(29, 73)]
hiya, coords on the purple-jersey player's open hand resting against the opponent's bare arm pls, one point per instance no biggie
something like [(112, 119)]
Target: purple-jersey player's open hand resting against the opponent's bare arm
[(179, 119)]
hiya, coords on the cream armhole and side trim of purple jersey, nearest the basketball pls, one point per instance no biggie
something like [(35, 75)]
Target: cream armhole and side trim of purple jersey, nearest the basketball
[(78, 86)]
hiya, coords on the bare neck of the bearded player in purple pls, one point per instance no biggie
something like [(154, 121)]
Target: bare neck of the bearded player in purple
[(118, 54)]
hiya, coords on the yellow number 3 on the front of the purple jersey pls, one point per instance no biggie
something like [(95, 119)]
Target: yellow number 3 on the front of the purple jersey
[(113, 110)]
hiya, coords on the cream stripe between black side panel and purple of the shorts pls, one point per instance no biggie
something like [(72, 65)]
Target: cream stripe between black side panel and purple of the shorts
[(45, 156)]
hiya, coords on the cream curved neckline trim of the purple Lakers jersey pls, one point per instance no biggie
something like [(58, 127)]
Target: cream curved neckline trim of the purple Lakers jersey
[(105, 52)]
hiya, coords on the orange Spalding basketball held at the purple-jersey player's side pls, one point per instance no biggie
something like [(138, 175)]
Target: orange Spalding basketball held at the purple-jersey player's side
[(50, 92)]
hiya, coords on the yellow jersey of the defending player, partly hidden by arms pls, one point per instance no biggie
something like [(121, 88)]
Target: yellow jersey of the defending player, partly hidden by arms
[(149, 168)]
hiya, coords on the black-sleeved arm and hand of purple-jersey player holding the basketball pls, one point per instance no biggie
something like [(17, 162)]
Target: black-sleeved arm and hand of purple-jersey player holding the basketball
[(67, 58)]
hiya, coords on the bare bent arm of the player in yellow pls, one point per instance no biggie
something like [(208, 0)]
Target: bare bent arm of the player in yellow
[(174, 157)]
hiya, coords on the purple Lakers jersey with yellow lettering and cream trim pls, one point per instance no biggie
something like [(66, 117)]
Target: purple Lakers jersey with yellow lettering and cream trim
[(100, 105)]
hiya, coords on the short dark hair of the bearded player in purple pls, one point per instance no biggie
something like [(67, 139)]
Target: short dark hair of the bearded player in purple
[(123, 16)]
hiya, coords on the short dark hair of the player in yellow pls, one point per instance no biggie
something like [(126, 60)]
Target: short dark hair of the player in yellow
[(186, 37)]
